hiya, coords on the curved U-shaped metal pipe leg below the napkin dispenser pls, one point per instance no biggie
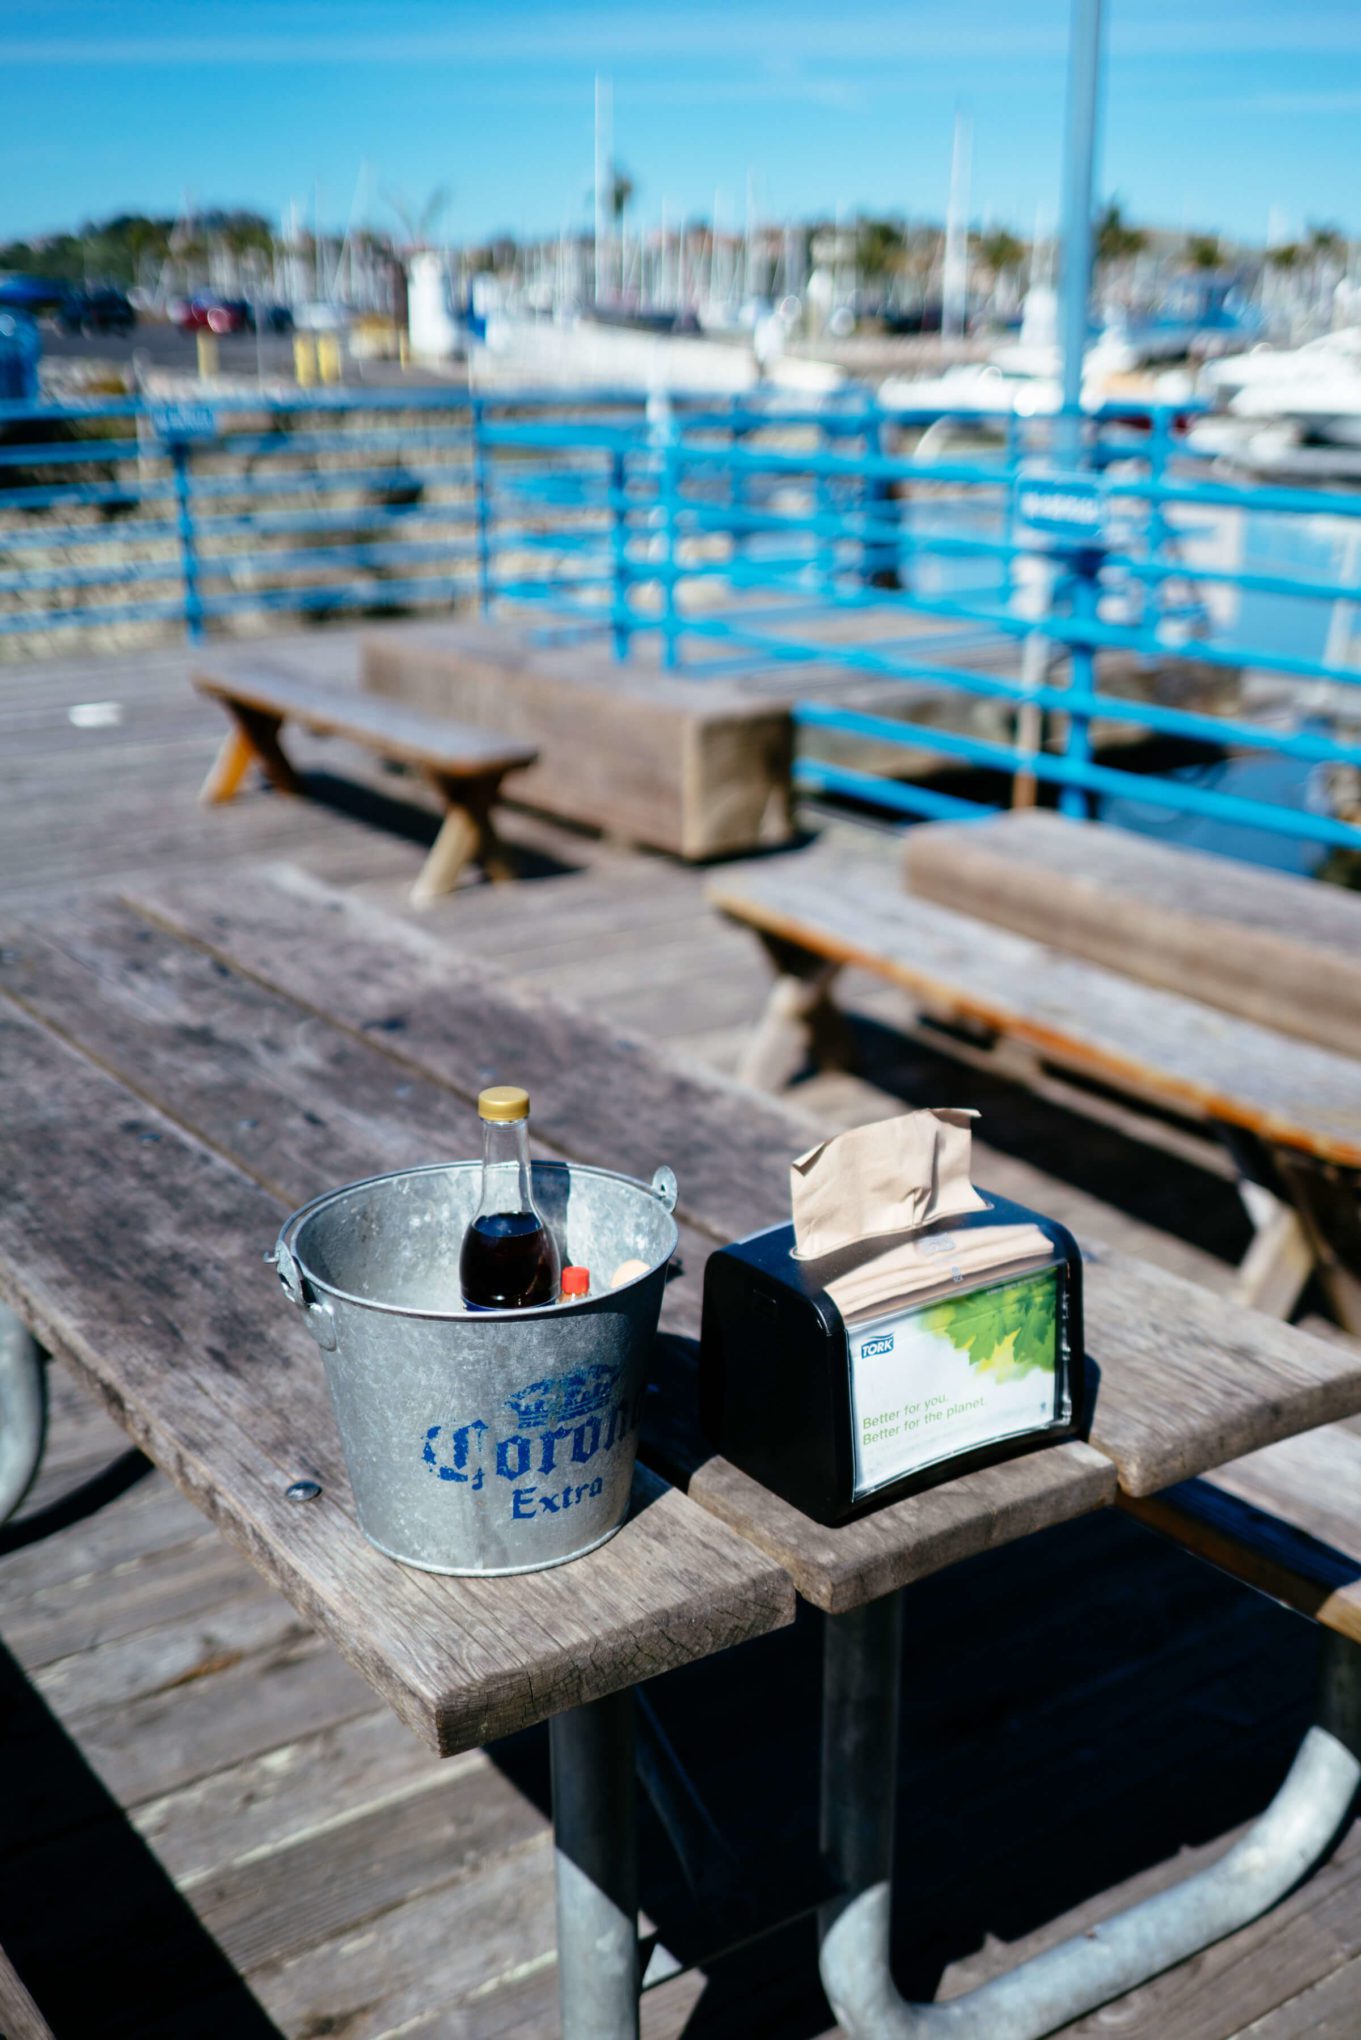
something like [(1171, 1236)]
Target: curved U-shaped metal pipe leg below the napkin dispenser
[(860, 1739)]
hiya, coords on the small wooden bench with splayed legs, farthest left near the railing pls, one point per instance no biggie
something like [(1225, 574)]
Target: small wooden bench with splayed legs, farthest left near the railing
[(462, 764)]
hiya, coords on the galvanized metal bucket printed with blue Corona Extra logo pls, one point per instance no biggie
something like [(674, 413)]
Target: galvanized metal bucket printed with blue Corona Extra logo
[(495, 1441)]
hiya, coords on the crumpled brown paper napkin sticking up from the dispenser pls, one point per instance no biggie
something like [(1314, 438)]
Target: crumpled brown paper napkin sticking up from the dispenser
[(880, 1180)]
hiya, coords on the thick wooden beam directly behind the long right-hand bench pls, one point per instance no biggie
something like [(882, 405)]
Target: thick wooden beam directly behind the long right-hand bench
[(1258, 943)]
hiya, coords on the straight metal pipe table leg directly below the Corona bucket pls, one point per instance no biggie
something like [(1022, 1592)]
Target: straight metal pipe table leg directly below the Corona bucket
[(597, 1866)]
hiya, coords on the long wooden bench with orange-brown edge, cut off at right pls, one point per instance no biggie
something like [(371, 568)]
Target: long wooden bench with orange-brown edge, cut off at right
[(1289, 1111)]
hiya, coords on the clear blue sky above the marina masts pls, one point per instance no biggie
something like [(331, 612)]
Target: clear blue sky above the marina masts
[(1217, 111)]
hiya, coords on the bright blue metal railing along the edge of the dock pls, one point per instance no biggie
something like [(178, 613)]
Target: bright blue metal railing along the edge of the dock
[(1003, 615)]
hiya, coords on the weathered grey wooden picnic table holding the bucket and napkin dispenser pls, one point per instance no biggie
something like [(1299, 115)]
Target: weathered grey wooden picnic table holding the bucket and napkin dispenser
[(183, 1068)]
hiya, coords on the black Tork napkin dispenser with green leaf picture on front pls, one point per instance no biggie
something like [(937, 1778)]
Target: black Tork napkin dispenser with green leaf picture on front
[(838, 1413)]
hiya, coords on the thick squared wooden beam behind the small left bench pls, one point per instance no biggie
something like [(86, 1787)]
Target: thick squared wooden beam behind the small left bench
[(683, 766)]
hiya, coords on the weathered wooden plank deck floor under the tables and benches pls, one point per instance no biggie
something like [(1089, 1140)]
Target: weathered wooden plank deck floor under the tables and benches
[(191, 1772)]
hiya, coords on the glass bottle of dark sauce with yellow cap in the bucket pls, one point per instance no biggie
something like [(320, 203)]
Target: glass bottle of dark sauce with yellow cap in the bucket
[(509, 1256)]
